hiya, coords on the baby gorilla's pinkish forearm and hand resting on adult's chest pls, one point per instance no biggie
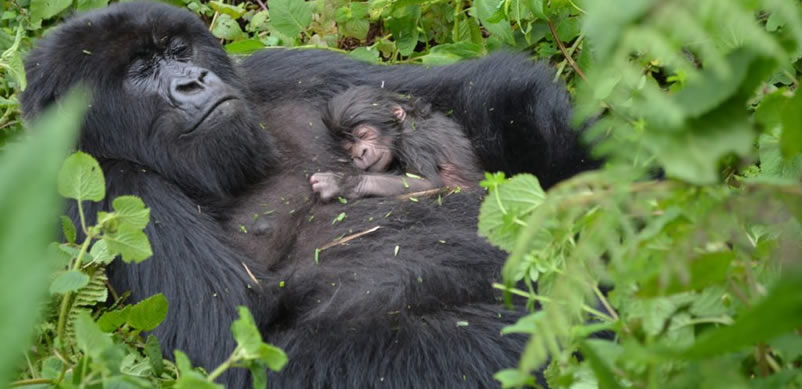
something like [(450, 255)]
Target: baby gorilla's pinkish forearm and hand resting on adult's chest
[(330, 185)]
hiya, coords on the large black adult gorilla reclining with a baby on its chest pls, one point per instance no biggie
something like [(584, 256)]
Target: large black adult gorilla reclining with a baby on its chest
[(216, 148)]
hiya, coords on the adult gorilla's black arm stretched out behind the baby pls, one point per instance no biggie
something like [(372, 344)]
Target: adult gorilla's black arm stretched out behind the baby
[(517, 119)]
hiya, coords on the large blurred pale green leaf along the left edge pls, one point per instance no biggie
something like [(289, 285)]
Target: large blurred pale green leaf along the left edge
[(29, 209)]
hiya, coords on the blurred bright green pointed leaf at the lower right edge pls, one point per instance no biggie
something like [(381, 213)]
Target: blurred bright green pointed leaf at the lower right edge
[(780, 312)]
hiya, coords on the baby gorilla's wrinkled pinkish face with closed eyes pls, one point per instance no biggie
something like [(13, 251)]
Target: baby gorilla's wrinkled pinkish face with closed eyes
[(369, 149)]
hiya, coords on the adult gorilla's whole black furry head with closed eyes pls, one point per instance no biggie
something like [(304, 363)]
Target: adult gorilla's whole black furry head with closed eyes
[(165, 96)]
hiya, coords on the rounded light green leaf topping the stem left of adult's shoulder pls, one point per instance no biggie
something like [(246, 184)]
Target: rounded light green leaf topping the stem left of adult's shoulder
[(81, 178)]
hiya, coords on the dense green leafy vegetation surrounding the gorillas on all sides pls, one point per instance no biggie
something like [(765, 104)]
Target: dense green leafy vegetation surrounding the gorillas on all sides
[(695, 277)]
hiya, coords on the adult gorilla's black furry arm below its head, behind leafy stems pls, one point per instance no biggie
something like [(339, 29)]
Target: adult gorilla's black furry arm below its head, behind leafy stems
[(203, 279)]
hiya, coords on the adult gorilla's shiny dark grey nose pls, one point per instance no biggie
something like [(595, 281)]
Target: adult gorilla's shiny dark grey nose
[(196, 88)]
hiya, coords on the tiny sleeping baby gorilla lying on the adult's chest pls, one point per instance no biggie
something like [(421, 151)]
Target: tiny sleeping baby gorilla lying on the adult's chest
[(384, 132)]
